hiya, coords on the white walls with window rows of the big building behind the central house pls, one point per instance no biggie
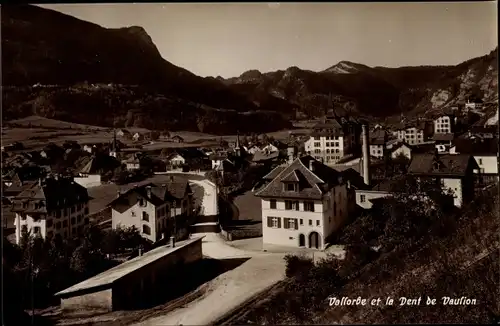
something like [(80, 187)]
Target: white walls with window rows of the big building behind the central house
[(329, 149)]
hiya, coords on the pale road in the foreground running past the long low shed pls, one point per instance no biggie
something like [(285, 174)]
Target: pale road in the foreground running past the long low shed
[(229, 290)]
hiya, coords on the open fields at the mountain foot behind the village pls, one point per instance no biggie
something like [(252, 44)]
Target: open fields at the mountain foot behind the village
[(35, 132)]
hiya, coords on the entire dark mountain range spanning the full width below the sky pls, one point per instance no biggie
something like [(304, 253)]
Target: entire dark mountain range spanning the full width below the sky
[(126, 81)]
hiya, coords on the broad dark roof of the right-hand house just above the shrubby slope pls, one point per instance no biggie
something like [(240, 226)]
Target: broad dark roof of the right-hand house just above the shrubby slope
[(430, 164)]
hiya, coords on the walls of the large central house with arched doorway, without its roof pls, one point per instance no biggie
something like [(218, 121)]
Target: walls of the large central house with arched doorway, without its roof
[(303, 223)]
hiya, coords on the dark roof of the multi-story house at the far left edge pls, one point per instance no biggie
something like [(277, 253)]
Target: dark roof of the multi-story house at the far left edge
[(62, 192)]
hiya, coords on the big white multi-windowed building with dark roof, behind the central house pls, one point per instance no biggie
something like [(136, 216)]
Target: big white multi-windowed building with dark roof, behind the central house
[(333, 138)]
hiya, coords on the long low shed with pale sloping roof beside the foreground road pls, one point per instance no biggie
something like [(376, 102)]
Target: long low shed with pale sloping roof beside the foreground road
[(123, 286)]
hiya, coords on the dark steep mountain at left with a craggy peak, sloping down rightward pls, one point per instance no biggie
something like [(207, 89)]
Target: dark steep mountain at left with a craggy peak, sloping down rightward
[(70, 52)]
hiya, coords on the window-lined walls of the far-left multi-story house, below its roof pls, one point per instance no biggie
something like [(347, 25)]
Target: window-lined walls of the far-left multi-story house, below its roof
[(66, 222)]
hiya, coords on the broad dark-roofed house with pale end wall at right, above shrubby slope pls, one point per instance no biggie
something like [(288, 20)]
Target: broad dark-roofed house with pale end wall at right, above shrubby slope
[(454, 172)]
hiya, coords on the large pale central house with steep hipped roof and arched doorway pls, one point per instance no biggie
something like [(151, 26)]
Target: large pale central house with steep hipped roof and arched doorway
[(303, 203)]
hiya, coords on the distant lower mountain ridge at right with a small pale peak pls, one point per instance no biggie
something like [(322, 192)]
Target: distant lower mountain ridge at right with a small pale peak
[(409, 89)]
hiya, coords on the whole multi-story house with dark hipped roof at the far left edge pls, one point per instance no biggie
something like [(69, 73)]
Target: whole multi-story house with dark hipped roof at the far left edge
[(54, 207)]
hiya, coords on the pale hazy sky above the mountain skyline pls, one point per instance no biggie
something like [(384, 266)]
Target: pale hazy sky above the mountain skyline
[(227, 39)]
